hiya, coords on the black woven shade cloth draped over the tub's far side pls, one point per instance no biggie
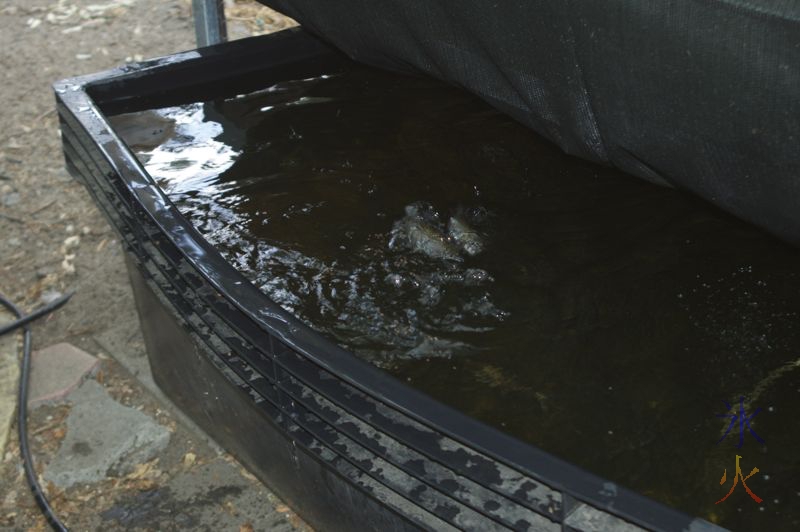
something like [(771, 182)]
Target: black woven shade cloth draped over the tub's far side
[(699, 94)]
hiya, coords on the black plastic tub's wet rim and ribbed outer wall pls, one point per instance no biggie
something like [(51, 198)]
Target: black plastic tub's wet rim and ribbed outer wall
[(345, 444)]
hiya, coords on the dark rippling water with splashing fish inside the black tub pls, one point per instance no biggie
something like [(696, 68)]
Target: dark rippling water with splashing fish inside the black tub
[(596, 316)]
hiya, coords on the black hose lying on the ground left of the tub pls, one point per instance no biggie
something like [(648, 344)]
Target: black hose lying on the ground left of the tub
[(22, 409)]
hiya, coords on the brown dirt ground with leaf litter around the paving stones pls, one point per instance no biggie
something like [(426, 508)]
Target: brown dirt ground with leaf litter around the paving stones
[(41, 208)]
